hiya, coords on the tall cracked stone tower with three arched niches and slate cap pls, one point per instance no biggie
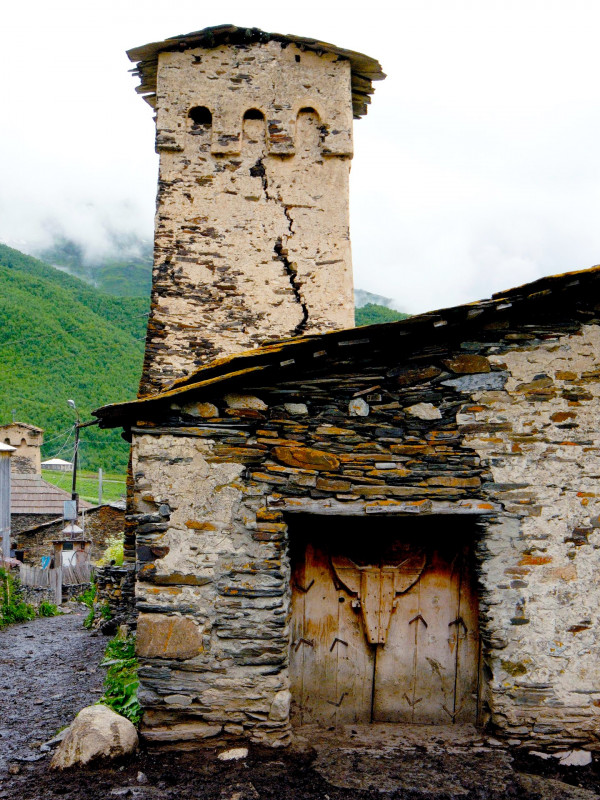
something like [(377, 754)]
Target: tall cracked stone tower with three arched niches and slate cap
[(254, 132)]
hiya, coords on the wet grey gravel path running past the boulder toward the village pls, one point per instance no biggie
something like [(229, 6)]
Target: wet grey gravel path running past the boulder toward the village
[(48, 671)]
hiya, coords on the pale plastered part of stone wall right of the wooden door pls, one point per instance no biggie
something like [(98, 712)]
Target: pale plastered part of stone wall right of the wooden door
[(540, 437)]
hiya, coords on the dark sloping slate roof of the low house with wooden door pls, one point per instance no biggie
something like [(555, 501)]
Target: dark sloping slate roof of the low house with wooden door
[(557, 294)]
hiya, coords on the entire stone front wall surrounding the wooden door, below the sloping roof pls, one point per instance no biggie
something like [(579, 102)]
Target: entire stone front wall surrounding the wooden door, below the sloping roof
[(501, 423)]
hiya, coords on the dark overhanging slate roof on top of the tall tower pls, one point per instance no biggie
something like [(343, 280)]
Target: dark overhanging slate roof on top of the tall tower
[(365, 70)]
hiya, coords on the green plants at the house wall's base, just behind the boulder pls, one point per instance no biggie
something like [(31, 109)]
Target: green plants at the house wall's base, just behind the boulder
[(121, 682)]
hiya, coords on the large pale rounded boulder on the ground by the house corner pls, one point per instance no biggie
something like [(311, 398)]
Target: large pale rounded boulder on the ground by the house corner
[(96, 732)]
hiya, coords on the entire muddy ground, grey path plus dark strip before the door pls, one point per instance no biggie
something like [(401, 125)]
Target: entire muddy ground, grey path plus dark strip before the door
[(49, 671)]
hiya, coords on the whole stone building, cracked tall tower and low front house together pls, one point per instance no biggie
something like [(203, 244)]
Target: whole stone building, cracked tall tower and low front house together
[(397, 523)]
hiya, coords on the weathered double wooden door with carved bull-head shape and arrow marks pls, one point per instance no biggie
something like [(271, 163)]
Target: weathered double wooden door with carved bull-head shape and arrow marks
[(384, 629)]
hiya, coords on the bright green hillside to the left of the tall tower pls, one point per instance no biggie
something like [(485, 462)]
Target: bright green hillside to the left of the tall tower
[(61, 338)]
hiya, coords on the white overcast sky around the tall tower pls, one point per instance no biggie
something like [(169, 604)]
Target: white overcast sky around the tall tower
[(477, 167)]
